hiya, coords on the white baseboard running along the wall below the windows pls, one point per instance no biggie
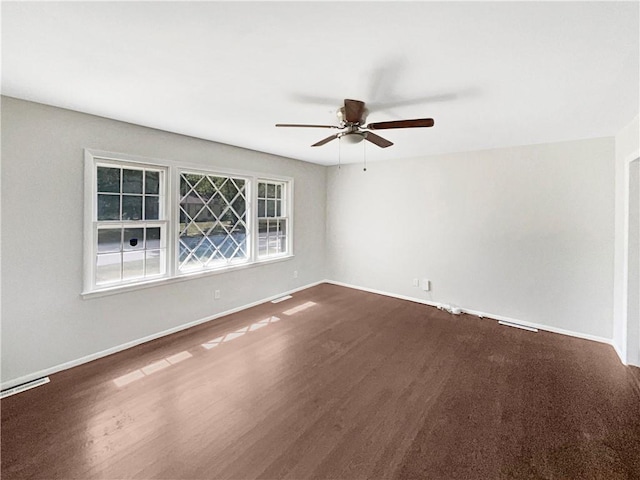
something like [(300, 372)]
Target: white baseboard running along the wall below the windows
[(109, 351)]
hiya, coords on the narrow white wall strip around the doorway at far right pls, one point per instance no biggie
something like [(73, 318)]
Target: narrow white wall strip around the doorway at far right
[(626, 295)]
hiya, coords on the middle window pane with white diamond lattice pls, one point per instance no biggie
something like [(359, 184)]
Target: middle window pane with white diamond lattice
[(213, 221)]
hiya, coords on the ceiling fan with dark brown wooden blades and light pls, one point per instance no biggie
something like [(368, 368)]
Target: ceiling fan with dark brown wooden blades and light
[(351, 119)]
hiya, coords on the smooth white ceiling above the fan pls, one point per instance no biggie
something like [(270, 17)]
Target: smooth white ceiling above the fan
[(490, 74)]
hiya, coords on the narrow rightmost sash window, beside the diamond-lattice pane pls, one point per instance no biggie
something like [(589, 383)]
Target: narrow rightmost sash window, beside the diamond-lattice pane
[(272, 219)]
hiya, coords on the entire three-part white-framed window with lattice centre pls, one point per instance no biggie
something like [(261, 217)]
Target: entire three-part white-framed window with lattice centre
[(153, 220)]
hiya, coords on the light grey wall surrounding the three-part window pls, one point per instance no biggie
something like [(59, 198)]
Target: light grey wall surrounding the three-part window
[(45, 322)]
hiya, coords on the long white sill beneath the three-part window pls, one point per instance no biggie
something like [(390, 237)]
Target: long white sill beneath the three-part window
[(116, 289)]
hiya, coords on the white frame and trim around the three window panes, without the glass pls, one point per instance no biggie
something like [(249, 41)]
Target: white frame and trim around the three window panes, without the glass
[(171, 199)]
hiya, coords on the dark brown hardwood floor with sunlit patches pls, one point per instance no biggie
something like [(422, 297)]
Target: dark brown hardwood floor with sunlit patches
[(335, 383)]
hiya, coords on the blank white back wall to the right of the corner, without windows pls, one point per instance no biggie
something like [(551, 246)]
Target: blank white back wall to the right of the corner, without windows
[(525, 233)]
